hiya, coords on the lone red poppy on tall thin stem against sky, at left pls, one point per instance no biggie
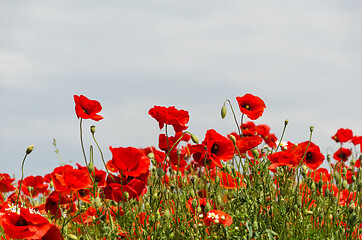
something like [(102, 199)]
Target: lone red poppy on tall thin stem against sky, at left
[(87, 109)]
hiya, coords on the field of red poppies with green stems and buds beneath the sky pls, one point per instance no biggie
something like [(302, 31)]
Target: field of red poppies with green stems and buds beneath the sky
[(247, 184)]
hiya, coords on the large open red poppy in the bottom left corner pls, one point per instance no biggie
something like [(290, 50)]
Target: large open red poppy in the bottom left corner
[(25, 225)]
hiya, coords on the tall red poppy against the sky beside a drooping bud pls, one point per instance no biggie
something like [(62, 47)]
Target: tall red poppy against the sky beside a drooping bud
[(252, 106)]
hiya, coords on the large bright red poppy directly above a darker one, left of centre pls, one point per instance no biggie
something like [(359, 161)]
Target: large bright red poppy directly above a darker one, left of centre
[(131, 161)]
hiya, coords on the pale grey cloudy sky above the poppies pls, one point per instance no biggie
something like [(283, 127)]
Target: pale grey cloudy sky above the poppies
[(303, 58)]
